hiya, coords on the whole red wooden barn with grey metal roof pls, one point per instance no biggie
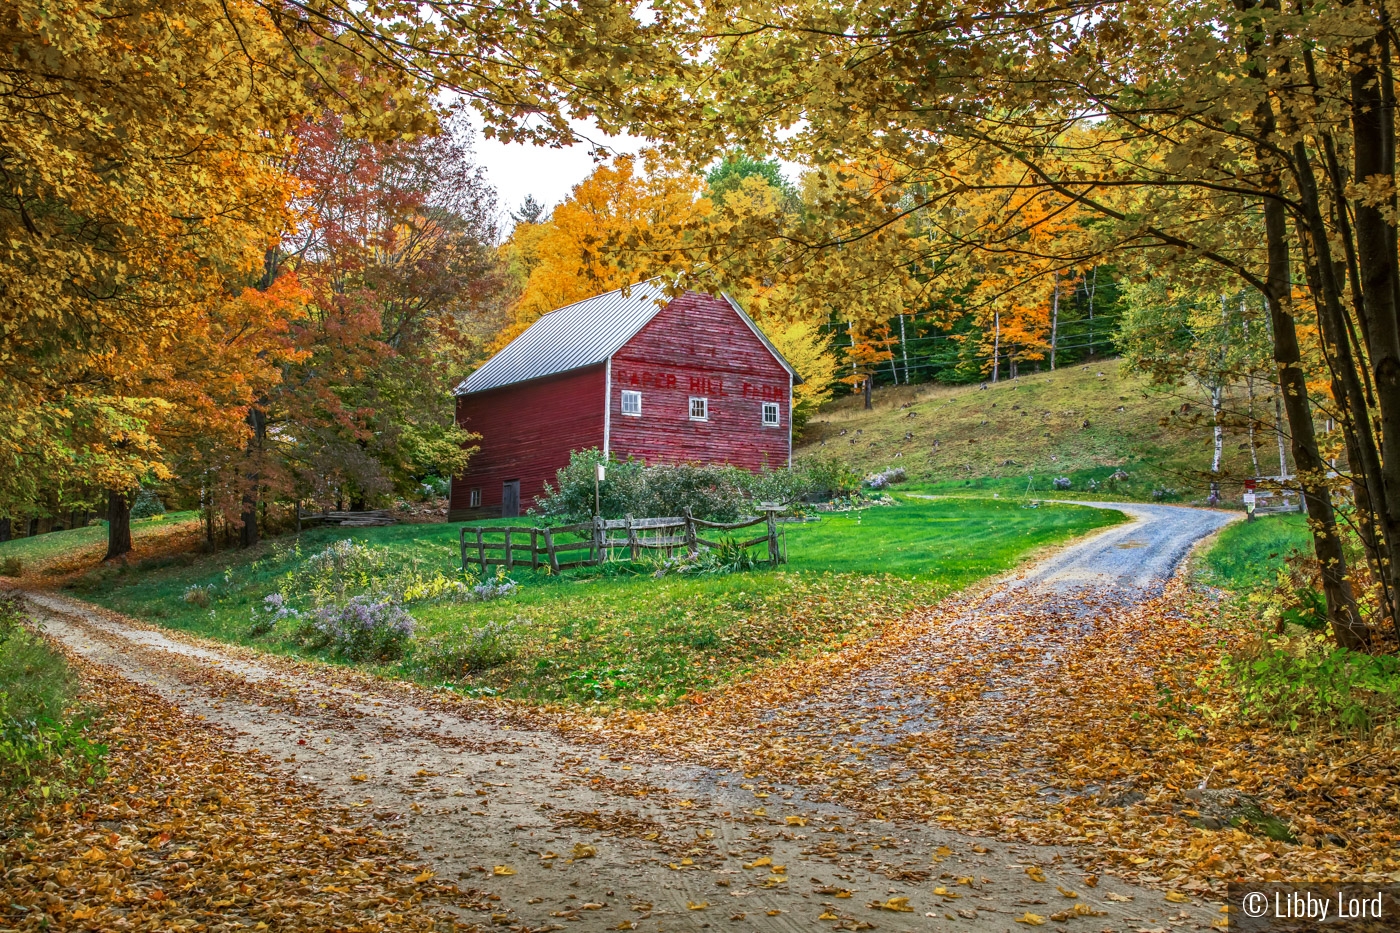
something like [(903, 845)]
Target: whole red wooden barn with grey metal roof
[(639, 375)]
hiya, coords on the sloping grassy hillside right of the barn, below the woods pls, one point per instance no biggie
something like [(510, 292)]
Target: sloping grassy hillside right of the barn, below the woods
[(1020, 435)]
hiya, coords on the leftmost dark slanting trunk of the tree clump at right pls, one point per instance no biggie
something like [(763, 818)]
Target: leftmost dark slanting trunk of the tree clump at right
[(1312, 473)]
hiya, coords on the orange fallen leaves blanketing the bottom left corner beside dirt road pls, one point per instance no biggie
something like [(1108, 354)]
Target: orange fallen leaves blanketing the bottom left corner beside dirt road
[(184, 834)]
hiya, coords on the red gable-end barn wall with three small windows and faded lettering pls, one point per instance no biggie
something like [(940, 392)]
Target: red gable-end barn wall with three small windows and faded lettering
[(699, 347)]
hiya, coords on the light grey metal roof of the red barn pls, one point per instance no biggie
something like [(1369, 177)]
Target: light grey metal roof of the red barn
[(583, 334)]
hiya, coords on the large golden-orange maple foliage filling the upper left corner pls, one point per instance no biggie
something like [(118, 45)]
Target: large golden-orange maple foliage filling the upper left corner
[(136, 202)]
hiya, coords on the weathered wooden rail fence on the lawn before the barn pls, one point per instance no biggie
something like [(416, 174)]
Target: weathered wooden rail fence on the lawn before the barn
[(559, 548)]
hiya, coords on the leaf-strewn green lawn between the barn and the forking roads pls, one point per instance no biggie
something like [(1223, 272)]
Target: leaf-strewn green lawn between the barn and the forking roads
[(619, 635)]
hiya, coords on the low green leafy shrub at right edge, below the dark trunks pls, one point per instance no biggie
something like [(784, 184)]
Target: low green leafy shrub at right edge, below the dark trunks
[(1307, 684)]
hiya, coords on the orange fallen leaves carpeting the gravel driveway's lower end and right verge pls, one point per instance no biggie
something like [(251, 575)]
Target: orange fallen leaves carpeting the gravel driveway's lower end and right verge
[(1065, 719)]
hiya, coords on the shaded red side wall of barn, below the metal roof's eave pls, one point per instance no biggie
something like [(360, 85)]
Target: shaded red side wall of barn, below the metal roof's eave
[(527, 432)]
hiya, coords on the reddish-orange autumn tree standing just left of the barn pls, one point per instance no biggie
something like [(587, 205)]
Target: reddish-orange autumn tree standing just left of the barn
[(394, 254)]
